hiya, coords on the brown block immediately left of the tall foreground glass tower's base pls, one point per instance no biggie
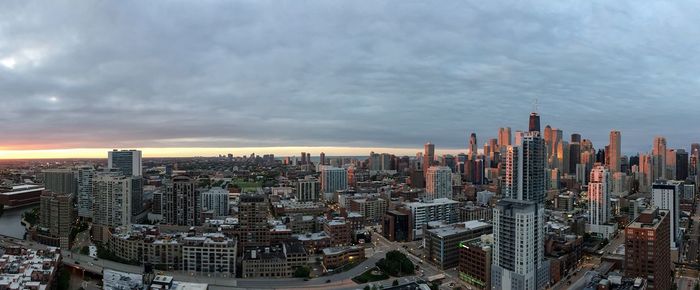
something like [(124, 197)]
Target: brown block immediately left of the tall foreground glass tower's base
[(475, 261)]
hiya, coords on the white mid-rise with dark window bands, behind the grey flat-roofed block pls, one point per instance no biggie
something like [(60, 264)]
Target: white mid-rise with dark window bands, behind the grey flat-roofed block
[(439, 209)]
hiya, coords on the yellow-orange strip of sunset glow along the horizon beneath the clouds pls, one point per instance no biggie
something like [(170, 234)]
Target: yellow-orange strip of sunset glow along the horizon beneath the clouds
[(76, 153)]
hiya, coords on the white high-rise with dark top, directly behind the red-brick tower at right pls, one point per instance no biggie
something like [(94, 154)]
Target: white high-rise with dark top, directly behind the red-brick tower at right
[(666, 195)]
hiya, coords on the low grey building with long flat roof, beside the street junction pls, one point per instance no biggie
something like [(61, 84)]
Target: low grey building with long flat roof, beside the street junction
[(442, 244)]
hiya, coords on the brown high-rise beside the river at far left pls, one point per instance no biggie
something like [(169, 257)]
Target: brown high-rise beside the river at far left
[(56, 217)]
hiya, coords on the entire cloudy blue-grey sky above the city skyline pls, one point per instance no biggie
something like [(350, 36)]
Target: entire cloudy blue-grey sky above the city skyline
[(211, 77)]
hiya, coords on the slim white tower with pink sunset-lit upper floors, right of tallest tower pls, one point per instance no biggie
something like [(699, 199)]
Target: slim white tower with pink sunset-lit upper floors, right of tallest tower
[(599, 188)]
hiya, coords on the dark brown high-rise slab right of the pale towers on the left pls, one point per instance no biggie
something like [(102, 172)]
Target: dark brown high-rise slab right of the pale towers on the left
[(182, 202)]
